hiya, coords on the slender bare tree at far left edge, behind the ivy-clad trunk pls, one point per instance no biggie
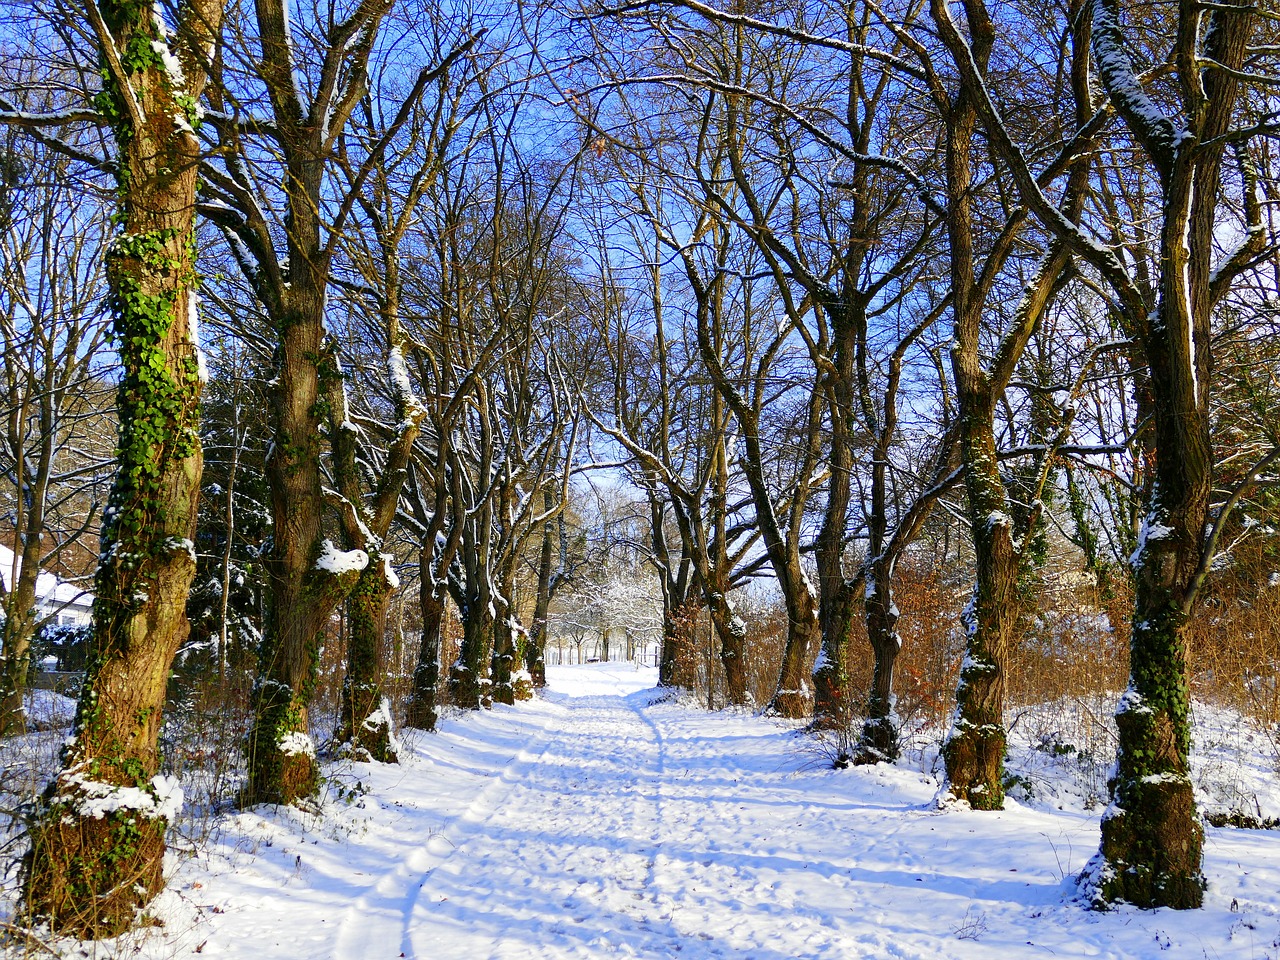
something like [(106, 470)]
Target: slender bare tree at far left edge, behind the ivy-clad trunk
[(52, 324)]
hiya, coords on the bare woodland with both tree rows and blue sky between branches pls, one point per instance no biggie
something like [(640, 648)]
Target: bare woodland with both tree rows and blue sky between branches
[(872, 364)]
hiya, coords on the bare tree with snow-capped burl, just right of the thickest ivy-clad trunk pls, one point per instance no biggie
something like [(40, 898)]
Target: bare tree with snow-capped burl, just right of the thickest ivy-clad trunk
[(309, 81)]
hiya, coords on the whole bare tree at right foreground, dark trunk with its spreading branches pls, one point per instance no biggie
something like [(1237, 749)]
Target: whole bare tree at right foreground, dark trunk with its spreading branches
[(1151, 839)]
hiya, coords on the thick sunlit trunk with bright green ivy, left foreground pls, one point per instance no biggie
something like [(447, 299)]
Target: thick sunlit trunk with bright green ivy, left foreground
[(85, 872)]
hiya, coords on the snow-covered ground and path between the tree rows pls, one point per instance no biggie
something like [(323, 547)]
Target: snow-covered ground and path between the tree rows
[(597, 824)]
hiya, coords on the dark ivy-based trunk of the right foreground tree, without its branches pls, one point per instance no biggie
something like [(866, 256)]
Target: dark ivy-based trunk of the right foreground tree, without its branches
[(1151, 835)]
